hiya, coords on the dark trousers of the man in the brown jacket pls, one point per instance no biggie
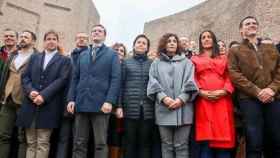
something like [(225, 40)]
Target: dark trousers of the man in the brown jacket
[(262, 126)]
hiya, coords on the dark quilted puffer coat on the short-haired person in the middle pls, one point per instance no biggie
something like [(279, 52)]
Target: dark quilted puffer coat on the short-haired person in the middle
[(133, 97)]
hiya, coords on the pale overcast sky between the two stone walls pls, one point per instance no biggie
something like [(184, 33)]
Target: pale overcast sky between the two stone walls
[(124, 19)]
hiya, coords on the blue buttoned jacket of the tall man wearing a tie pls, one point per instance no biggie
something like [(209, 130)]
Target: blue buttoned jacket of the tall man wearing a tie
[(95, 82)]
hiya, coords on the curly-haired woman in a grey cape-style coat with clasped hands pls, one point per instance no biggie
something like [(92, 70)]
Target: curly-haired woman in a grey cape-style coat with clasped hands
[(172, 86)]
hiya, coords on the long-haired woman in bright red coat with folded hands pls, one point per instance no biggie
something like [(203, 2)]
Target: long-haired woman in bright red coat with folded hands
[(214, 123)]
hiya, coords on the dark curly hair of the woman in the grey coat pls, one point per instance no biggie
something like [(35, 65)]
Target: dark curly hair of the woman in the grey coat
[(164, 40)]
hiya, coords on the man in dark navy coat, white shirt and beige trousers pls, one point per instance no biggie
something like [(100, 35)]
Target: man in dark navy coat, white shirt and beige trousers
[(43, 84)]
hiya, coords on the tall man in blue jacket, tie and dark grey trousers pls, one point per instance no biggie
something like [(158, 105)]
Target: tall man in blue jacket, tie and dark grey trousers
[(94, 90)]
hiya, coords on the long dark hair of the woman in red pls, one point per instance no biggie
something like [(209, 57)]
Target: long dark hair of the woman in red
[(215, 47)]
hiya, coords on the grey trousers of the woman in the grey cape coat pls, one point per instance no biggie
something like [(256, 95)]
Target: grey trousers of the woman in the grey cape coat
[(175, 141)]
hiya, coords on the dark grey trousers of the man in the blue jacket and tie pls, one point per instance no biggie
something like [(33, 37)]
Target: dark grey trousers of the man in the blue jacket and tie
[(99, 123)]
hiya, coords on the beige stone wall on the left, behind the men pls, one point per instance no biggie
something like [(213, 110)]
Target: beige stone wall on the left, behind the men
[(65, 16)]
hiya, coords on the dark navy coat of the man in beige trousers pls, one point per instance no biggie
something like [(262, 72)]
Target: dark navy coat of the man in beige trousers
[(50, 83)]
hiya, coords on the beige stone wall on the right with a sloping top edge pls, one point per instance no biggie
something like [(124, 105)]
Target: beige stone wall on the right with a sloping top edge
[(220, 16)]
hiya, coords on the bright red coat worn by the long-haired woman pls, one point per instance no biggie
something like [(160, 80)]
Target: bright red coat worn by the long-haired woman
[(214, 119)]
